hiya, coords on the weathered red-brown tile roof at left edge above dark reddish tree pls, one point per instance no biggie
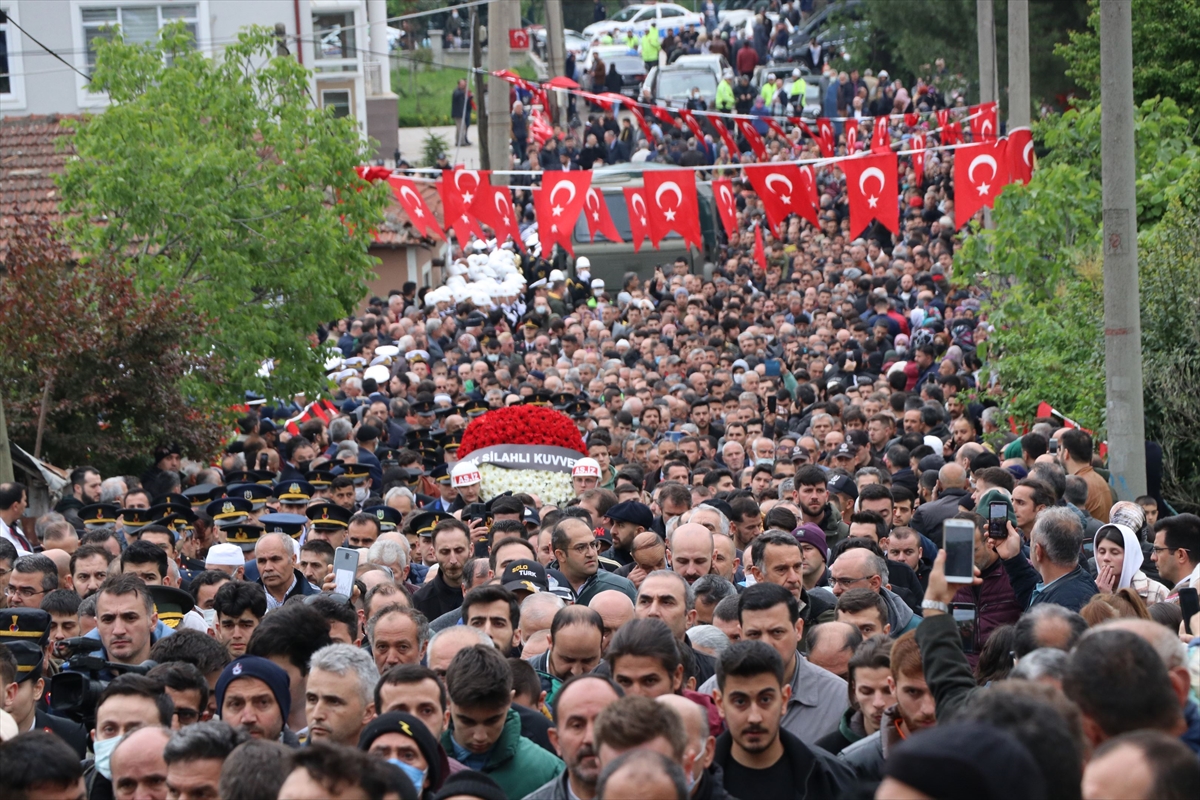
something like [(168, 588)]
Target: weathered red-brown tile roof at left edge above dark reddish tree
[(29, 158)]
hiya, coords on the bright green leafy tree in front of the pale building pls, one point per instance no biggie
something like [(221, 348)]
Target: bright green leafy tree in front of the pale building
[(224, 182)]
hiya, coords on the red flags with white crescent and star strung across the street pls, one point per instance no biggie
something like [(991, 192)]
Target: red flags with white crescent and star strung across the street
[(668, 201)]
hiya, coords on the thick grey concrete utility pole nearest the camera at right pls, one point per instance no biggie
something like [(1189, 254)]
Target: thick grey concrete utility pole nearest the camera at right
[(1123, 316)]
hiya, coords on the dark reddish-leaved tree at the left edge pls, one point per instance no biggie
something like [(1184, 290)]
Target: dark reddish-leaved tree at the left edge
[(95, 369)]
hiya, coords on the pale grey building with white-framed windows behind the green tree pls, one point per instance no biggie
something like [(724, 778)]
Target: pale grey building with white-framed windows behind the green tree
[(345, 43)]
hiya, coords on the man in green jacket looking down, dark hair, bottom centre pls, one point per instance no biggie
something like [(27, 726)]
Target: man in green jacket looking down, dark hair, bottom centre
[(485, 732)]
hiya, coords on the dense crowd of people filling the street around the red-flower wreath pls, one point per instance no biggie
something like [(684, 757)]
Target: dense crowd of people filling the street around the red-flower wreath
[(746, 594)]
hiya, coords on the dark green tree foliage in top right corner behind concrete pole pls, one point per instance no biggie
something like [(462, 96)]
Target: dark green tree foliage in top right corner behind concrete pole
[(1166, 52)]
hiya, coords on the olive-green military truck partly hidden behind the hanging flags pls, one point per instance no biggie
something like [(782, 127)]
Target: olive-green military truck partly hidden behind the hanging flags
[(613, 261)]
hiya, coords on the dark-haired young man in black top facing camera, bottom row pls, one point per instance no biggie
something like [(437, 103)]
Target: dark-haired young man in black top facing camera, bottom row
[(758, 756)]
